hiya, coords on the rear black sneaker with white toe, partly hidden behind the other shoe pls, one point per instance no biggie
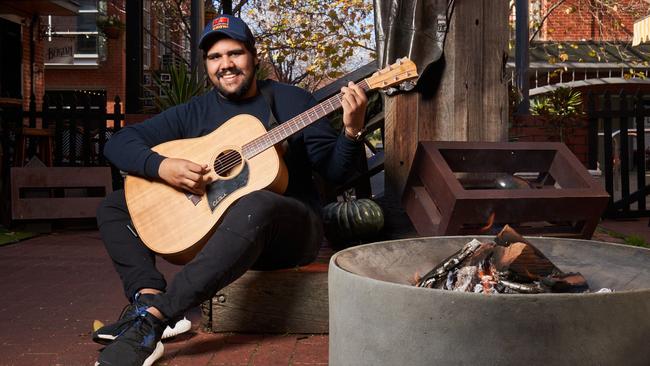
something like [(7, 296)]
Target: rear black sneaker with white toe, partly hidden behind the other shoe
[(106, 334)]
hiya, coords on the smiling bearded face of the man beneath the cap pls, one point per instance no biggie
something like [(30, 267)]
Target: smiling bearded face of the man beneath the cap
[(231, 68)]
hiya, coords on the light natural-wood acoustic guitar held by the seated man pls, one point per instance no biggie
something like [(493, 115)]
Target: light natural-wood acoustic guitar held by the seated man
[(241, 157)]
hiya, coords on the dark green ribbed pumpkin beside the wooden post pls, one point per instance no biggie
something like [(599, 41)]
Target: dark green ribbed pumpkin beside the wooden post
[(352, 221)]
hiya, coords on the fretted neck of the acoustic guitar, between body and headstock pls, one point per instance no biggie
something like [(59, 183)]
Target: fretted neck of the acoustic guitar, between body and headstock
[(294, 125)]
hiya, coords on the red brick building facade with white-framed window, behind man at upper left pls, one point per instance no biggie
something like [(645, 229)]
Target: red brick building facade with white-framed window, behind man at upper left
[(97, 69)]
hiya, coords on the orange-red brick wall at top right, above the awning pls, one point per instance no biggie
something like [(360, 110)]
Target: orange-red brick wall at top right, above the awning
[(576, 20)]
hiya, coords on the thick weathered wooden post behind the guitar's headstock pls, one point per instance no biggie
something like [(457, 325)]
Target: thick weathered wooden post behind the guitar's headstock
[(471, 103)]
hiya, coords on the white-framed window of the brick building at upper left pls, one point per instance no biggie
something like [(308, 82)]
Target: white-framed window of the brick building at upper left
[(79, 32)]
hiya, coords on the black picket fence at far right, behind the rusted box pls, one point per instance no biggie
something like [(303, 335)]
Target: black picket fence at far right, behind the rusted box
[(619, 143)]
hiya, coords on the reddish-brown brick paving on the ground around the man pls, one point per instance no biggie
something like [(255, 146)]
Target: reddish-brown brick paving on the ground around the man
[(53, 286)]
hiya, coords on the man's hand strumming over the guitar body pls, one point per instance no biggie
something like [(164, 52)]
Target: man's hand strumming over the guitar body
[(184, 174)]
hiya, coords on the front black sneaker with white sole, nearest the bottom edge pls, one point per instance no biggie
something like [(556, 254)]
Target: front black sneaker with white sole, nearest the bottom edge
[(138, 345)]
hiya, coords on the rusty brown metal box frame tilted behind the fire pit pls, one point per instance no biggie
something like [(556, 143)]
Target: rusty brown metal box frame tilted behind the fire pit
[(438, 204)]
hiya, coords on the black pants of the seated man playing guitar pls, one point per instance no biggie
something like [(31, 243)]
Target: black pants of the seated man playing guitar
[(263, 230)]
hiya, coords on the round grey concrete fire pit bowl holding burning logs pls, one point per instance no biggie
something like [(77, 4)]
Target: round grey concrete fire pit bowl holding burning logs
[(377, 318)]
